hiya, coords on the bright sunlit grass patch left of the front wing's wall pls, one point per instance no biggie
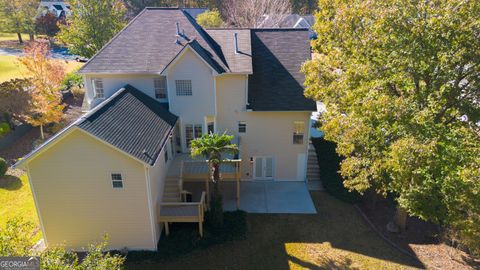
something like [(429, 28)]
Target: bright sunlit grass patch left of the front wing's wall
[(16, 200)]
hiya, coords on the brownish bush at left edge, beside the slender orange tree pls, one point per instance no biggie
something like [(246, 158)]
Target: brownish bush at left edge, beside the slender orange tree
[(15, 99)]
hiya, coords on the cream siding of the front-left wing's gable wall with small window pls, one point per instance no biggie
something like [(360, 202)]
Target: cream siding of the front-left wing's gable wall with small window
[(76, 201)]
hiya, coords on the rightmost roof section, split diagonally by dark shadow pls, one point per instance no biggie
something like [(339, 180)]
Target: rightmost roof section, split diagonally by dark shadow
[(277, 83)]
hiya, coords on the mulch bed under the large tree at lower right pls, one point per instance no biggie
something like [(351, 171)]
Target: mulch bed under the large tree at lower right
[(421, 239)]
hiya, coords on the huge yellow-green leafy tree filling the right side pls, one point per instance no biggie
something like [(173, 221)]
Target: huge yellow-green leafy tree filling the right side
[(401, 80)]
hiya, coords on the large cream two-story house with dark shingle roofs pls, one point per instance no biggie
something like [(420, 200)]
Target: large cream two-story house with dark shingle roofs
[(157, 85)]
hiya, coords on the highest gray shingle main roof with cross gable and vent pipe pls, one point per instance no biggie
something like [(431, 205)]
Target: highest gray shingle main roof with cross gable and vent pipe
[(147, 44)]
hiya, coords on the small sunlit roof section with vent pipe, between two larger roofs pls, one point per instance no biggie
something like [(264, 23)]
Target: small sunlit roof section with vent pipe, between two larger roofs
[(241, 62)]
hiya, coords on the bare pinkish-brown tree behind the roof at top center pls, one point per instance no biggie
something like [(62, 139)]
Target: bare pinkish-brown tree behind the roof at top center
[(251, 13)]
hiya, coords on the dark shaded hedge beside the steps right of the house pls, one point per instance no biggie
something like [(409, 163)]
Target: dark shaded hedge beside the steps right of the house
[(329, 163)]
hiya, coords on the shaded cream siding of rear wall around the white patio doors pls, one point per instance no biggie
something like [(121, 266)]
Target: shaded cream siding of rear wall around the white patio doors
[(268, 133)]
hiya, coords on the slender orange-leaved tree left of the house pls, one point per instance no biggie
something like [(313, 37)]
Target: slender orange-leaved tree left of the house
[(46, 76)]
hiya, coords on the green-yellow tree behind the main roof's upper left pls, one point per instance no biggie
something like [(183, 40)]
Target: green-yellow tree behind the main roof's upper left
[(92, 24)]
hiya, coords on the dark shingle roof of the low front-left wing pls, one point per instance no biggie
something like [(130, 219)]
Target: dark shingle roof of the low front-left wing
[(132, 122)]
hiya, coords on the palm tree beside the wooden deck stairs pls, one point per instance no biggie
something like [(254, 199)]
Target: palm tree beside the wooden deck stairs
[(213, 147)]
